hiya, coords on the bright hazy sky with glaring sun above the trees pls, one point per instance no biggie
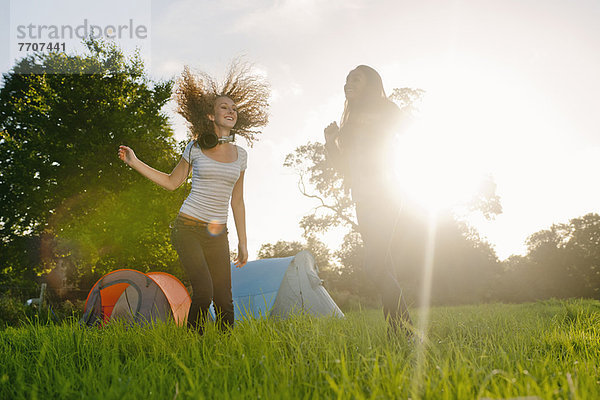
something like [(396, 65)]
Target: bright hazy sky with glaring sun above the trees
[(511, 92)]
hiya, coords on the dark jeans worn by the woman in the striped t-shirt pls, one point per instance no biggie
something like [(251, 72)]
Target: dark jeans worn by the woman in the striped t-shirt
[(206, 261)]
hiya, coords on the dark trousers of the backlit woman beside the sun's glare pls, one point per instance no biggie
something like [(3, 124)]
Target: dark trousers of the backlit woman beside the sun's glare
[(383, 232)]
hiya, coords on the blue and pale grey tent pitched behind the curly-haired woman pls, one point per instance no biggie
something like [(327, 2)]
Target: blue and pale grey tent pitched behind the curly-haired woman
[(280, 286)]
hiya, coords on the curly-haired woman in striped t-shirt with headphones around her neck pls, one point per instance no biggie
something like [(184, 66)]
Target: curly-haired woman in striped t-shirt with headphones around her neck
[(215, 113)]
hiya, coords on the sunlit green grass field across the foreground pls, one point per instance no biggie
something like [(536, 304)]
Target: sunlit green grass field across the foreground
[(548, 349)]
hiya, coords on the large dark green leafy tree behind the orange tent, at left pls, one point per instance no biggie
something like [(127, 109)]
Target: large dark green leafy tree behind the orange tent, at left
[(62, 188)]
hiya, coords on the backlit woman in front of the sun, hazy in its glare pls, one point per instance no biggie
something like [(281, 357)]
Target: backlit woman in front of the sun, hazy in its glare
[(358, 150)]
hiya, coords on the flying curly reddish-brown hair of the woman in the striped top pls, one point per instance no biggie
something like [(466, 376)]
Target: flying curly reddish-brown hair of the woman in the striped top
[(196, 94)]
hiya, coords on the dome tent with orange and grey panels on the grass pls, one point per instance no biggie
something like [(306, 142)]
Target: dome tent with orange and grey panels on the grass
[(131, 295)]
